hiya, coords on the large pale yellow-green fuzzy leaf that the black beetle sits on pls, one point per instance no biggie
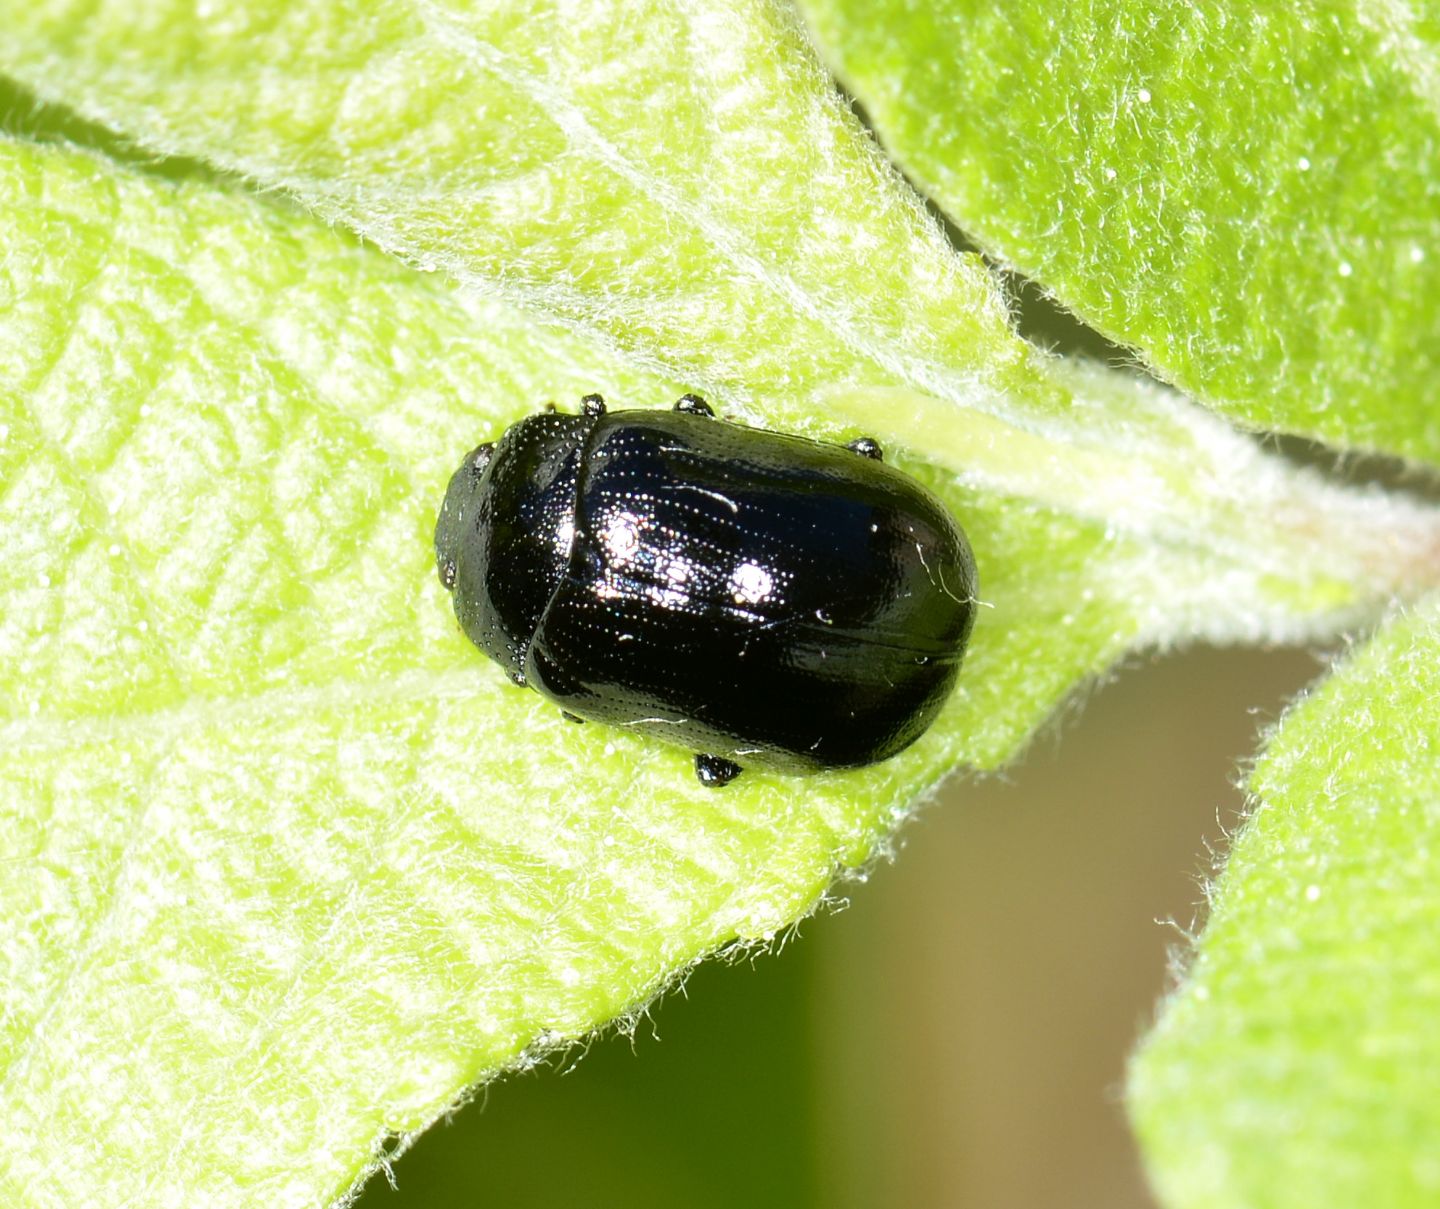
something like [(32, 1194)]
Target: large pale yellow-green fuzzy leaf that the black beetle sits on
[(286, 864)]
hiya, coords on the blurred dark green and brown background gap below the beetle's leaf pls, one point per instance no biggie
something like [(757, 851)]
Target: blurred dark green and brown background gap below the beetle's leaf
[(955, 1038)]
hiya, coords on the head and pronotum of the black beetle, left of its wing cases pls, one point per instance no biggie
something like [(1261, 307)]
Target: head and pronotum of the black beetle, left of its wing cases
[(505, 532)]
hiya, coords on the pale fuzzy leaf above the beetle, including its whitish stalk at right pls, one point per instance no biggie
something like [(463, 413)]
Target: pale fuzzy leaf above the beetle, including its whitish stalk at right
[(689, 188)]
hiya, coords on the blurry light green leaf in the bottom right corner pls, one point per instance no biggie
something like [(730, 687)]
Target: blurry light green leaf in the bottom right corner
[(1298, 1064)]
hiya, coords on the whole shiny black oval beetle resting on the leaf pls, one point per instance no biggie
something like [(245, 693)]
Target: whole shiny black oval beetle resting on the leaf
[(757, 598)]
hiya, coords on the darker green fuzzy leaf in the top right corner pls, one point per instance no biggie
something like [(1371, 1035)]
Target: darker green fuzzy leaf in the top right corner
[(1249, 195)]
